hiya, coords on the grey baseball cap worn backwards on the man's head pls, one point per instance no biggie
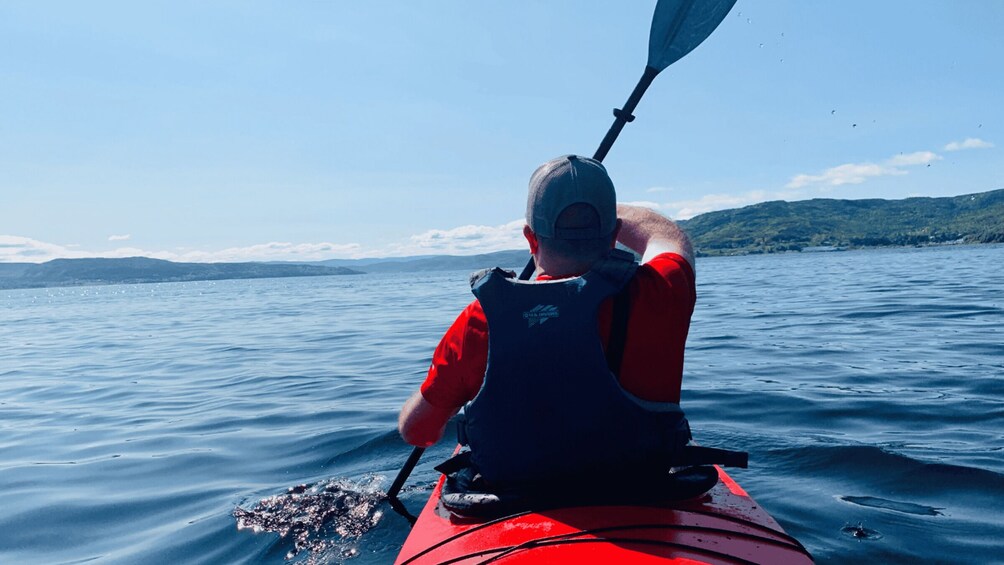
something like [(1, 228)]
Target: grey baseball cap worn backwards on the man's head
[(566, 181)]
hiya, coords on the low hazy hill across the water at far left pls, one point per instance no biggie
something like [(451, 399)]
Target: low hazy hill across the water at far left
[(72, 272)]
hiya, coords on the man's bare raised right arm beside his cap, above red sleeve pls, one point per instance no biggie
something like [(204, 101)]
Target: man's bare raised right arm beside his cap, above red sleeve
[(649, 233)]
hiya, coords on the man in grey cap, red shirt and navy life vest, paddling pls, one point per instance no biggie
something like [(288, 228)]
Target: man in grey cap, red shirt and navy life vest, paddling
[(550, 394)]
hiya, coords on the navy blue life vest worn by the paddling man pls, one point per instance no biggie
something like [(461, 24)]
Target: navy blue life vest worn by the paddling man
[(550, 408)]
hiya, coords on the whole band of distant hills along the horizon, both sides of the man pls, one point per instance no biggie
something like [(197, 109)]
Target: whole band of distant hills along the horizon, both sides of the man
[(770, 227)]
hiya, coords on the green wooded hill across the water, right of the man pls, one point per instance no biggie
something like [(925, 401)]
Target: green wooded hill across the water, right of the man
[(780, 226)]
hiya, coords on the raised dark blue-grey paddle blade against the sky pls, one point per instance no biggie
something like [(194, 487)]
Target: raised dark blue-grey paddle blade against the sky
[(681, 26)]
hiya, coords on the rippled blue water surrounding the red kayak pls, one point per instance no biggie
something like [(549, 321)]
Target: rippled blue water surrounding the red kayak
[(868, 387)]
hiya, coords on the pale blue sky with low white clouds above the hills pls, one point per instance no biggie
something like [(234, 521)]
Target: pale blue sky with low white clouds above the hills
[(280, 131)]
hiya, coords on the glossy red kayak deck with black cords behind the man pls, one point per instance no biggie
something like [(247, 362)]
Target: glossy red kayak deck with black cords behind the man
[(723, 526)]
